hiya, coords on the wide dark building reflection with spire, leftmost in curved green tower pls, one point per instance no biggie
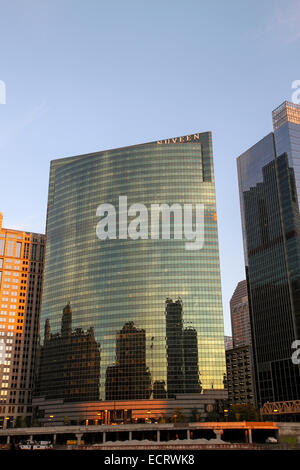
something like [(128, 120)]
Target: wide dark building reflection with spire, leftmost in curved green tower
[(69, 362)]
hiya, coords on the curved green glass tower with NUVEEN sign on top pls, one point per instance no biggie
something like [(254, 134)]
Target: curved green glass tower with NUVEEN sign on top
[(149, 305)]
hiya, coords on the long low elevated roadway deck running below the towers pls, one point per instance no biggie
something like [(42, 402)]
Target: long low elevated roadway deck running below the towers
[(245, 431)]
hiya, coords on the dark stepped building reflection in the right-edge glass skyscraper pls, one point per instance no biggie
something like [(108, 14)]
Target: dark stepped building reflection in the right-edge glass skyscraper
[(272, 293)]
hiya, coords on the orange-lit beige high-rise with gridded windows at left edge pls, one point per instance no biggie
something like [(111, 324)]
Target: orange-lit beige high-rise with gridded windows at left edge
[(21, 267)]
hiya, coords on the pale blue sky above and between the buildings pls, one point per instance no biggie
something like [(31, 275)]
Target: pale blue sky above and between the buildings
[(83, 76)]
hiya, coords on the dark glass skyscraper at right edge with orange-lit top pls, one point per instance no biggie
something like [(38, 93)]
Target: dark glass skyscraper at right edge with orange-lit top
[(269, 182)]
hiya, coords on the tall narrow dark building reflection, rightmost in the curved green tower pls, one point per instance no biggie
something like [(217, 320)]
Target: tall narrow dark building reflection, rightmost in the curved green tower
[(182, 353)]
